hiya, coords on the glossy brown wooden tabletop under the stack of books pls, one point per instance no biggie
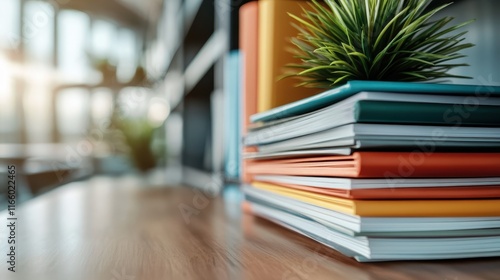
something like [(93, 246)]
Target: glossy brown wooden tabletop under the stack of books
[(118, 229)]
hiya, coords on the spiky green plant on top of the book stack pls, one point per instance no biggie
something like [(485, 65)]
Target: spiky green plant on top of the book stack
[(388, 40)]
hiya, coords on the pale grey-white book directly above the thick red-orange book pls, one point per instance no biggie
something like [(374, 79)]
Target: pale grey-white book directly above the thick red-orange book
[(359, 136)]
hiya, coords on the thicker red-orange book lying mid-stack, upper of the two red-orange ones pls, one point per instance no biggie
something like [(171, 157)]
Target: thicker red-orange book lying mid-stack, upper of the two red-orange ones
[(390, 165)]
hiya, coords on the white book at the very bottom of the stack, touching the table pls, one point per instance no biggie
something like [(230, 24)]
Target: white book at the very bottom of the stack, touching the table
[(365, 249)]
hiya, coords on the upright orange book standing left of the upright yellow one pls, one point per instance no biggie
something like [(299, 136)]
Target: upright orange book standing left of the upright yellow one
[(249, 27)]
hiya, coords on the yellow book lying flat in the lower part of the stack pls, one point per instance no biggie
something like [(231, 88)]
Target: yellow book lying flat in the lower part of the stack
[(392, 208)]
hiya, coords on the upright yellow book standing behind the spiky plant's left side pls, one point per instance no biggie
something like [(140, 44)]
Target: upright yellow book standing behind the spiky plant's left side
[(275, 32)]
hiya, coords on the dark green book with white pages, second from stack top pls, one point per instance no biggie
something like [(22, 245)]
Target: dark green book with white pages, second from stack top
[(383, 108)]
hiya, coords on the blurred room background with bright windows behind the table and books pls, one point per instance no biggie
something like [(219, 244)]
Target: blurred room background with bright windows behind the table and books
[(137, 86)]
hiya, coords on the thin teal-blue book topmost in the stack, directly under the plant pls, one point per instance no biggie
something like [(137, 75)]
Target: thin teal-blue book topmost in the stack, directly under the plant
[(332, 96)]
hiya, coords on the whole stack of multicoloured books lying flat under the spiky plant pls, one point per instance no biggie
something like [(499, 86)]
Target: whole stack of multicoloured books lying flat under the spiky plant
[(382, 170)]
